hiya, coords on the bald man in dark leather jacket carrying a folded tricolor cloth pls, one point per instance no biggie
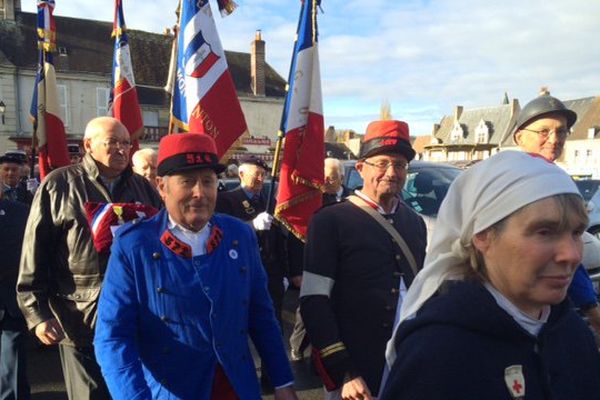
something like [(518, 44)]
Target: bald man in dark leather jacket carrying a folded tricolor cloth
[(74, 214)]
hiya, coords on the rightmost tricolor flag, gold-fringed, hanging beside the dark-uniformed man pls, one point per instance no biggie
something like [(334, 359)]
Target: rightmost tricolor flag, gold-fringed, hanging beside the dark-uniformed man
[(301, 175)]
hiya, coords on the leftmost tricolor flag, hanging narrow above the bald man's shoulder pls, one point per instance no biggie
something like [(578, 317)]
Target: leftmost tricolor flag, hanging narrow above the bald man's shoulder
[(48, 129)]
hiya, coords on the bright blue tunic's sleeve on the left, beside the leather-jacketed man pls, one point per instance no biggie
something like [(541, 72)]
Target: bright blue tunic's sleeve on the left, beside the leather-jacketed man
[(114, 342)]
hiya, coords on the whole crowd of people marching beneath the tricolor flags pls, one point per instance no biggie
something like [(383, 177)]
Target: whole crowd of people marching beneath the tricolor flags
[(151, 281)]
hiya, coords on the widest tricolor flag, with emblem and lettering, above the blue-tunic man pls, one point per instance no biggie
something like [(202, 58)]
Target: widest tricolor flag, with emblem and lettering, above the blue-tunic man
[(204, 98)]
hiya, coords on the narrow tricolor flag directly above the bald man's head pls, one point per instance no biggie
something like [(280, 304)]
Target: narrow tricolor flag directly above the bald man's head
[(123, 101)]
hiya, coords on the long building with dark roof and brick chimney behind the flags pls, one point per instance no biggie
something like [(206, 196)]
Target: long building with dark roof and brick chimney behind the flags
[(83, 66)]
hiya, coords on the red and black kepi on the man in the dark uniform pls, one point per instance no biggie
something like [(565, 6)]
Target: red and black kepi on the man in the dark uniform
[(387, 137)]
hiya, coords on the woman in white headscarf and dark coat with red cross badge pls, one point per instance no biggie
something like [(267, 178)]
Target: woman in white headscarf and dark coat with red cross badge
[(487, 317)]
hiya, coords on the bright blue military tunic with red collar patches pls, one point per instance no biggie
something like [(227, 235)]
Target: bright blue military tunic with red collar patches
[(167, 319)]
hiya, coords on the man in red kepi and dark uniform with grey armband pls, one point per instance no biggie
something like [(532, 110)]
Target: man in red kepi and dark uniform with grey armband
[(360, 256)]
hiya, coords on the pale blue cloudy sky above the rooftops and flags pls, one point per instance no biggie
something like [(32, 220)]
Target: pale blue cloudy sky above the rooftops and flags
[(422, 56)]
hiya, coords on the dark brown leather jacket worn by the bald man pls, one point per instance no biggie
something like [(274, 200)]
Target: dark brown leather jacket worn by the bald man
[(61, 272)]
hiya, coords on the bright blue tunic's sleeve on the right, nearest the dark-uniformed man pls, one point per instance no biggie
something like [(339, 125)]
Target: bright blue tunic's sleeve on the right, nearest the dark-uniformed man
[(263, 326)]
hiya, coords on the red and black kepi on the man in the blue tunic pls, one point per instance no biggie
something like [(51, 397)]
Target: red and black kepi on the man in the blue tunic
[(186, 151)]
